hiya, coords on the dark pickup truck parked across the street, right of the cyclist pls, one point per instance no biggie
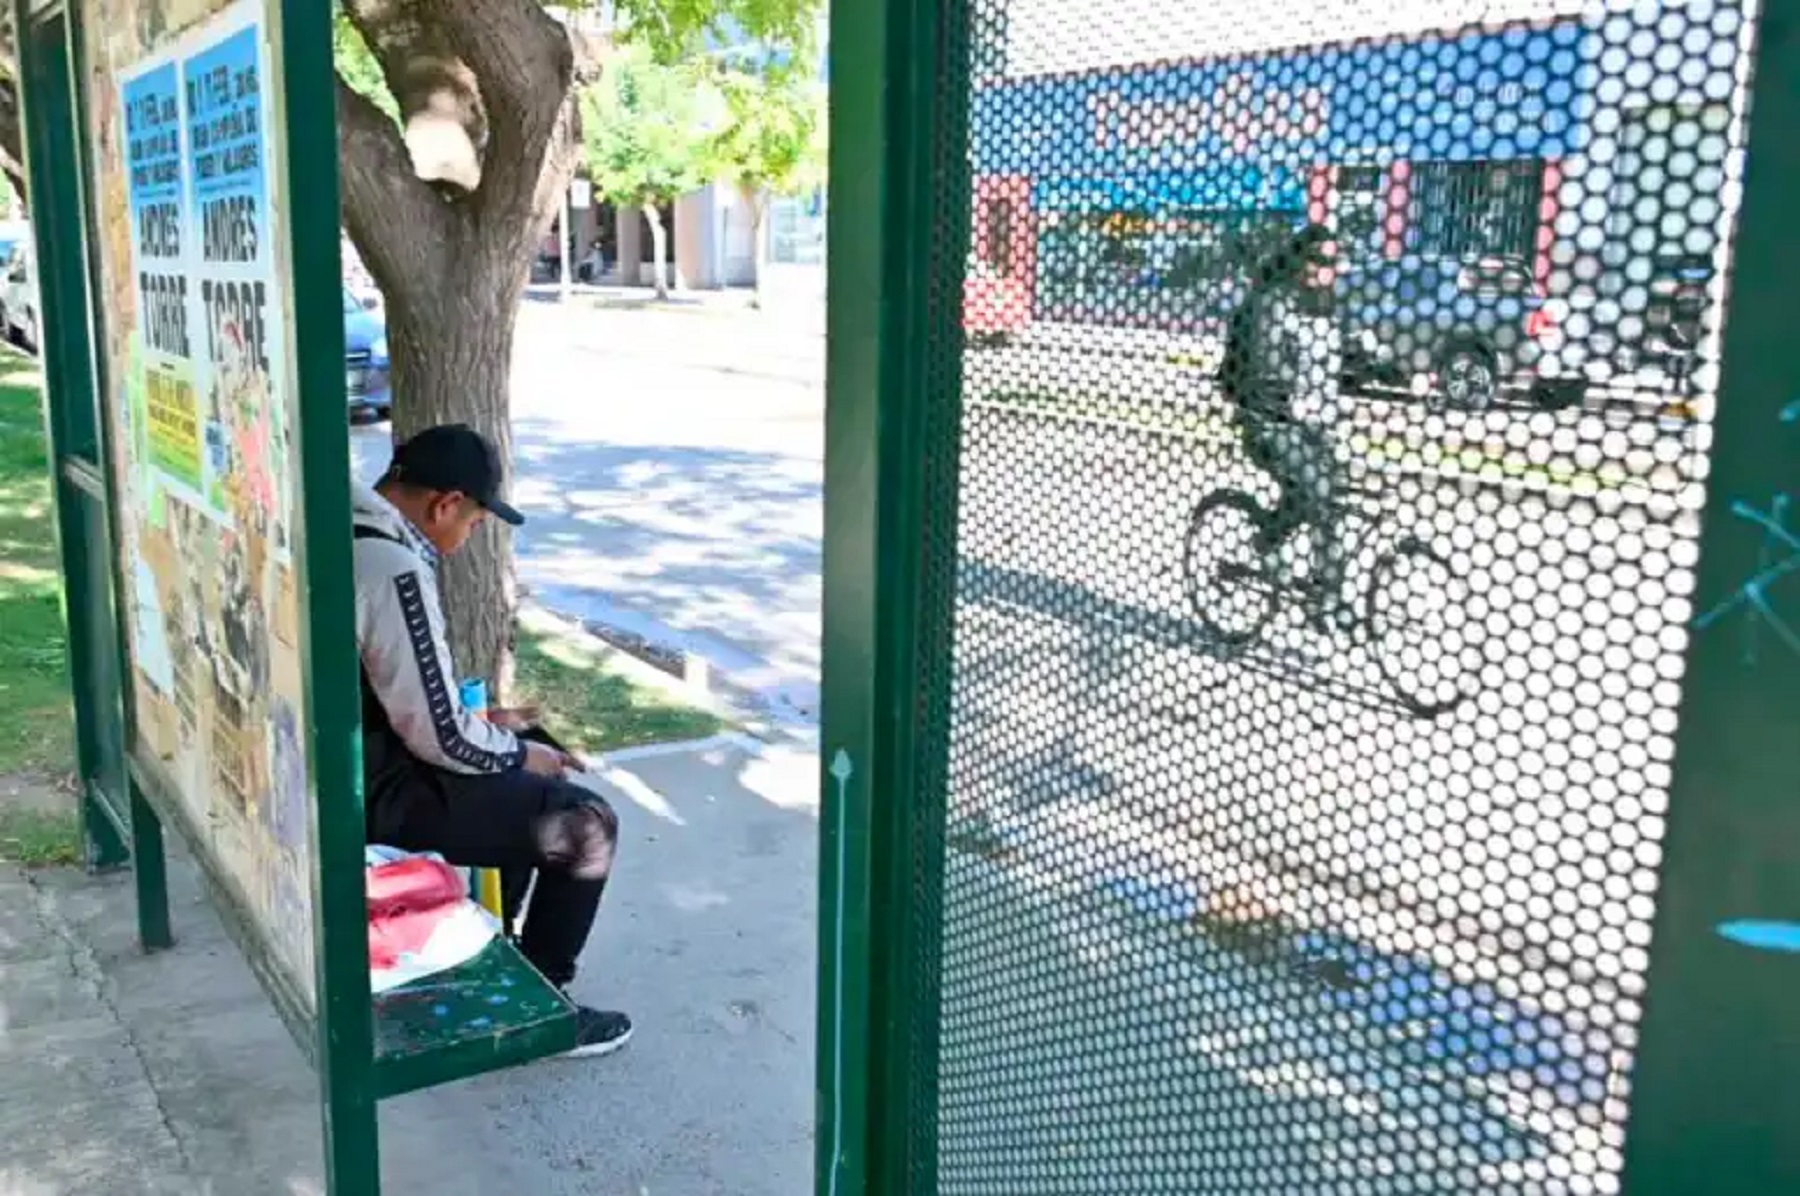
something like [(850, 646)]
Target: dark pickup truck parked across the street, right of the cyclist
[(1468, 327)]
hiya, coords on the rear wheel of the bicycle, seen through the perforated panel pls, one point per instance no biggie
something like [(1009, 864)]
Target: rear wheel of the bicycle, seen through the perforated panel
[(1225, 568)]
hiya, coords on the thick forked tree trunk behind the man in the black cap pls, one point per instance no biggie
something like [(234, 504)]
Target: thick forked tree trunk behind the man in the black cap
[(447, 219)]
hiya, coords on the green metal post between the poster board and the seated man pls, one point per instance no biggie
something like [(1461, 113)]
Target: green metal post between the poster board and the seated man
[(325, 575)]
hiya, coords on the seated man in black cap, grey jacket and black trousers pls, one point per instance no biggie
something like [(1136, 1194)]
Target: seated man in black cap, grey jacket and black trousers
[(436, 777)]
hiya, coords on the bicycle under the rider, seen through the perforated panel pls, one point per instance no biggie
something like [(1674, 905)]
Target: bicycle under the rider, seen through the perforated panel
[(1412, 610)]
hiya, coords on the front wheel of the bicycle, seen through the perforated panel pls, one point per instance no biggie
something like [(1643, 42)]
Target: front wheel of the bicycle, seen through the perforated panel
[(1421, 630)]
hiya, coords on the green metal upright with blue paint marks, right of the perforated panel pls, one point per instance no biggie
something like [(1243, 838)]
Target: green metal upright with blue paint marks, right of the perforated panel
[(1720, 1031)]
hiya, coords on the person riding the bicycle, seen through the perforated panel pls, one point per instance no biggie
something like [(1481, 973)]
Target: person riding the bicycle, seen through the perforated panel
[(1282, 365)]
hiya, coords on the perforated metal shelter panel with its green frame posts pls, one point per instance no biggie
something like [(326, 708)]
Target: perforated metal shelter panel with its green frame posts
[(1146, 873)]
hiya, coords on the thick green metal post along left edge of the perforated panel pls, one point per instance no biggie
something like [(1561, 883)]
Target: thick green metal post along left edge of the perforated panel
[(899, 230)]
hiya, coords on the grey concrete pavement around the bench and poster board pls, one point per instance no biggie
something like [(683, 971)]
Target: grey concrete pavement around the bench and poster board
[(170, 1074)]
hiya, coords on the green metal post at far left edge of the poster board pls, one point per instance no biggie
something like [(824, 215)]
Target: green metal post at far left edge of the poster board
[(55, 174)]
